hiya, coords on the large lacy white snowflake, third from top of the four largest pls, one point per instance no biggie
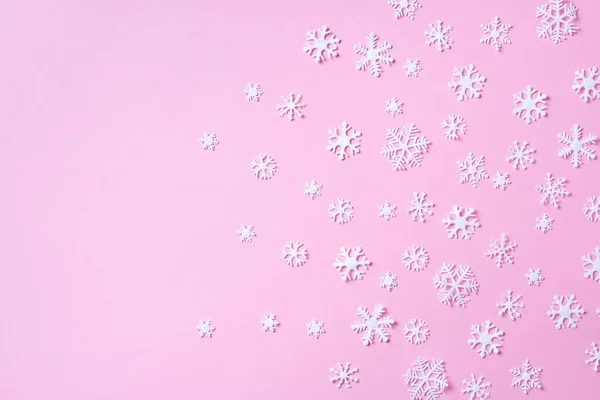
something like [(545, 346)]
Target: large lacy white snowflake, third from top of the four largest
[(455, 284)]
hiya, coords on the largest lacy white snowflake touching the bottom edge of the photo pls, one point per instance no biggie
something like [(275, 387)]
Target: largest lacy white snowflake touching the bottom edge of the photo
[(426, 379)]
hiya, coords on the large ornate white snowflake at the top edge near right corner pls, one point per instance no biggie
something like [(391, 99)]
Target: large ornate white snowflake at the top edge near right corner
[(557, 20)]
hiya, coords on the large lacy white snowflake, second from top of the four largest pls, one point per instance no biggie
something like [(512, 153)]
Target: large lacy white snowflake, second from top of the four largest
[(404, 148)]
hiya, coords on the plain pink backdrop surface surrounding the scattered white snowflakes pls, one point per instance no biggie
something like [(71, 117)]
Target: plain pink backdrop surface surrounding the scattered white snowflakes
[(118, 230)]
